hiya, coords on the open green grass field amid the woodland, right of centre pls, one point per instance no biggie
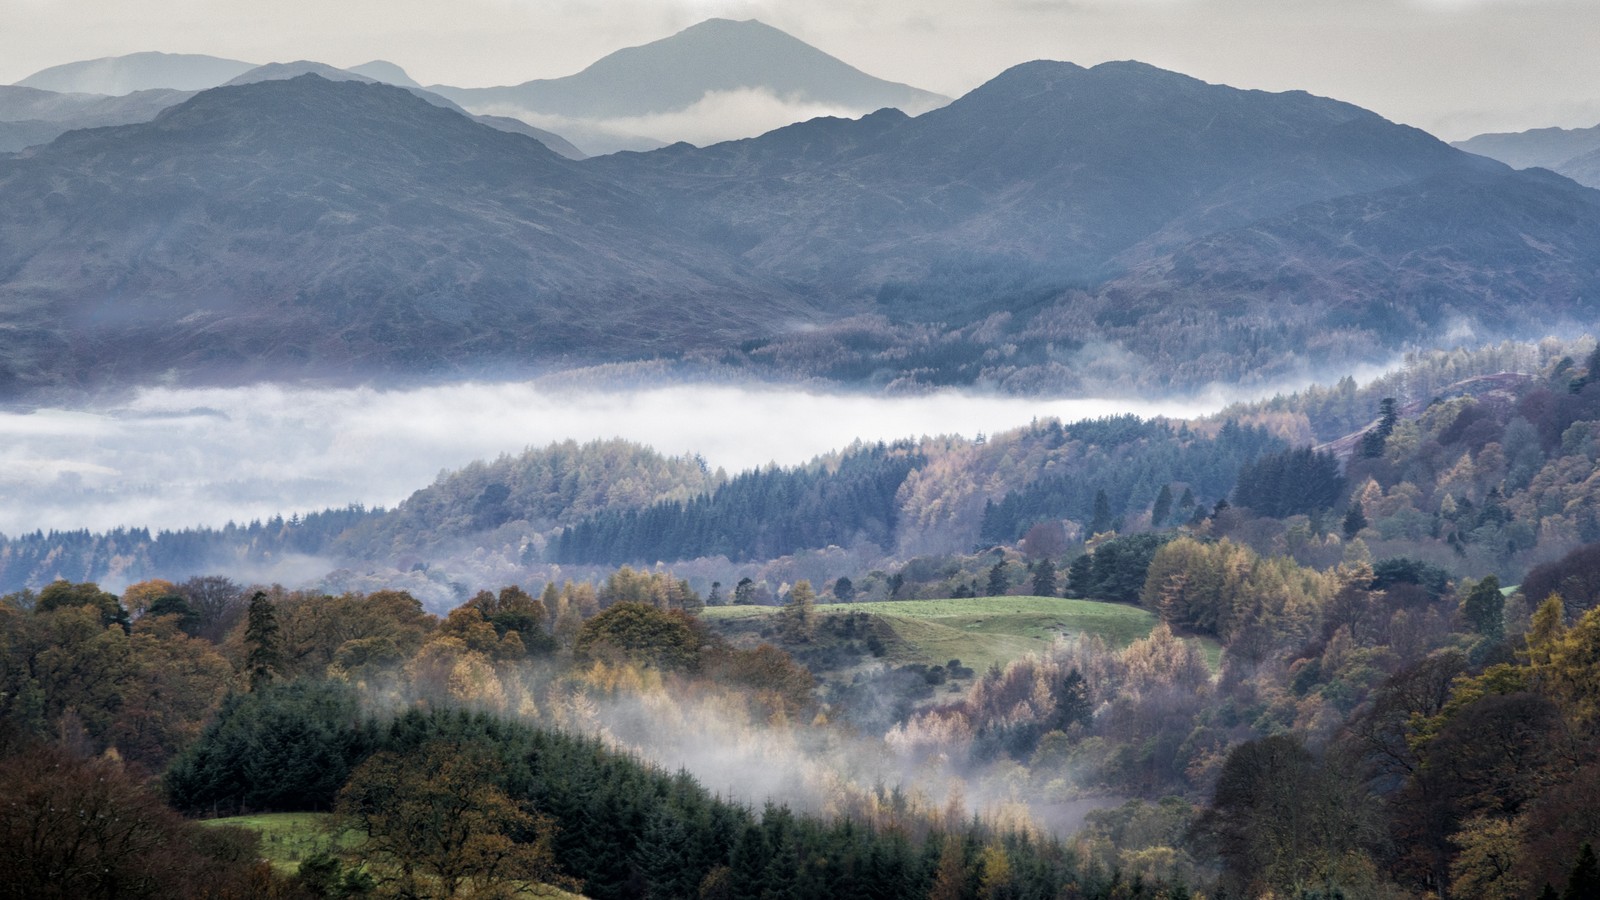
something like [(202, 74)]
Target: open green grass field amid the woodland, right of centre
[(980, 632)]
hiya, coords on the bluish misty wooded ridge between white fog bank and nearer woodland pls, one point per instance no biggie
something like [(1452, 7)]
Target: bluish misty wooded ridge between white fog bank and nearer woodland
[(1481, 467)]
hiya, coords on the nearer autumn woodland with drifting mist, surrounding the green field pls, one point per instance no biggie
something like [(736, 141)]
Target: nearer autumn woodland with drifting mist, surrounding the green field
[(1375, 728)]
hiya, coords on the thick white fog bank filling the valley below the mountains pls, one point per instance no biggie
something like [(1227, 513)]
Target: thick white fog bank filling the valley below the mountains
[(172, 459)]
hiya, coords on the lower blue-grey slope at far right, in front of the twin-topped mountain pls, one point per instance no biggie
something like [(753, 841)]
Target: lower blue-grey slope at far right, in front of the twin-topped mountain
[(1481, 254)]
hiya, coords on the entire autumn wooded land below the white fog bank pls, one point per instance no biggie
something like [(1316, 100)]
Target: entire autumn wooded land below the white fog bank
[(1366, 667)]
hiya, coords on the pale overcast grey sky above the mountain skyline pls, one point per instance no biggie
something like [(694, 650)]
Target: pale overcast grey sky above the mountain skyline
[(1455, 68)]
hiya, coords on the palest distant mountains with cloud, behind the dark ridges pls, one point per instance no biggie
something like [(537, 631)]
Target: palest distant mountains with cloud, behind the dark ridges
[(714, 81)]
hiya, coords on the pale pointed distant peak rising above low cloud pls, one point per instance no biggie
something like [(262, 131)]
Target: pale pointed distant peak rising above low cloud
[(718, 55)]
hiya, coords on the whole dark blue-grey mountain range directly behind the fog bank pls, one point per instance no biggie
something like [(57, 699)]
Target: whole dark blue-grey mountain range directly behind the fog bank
[(308, 227)]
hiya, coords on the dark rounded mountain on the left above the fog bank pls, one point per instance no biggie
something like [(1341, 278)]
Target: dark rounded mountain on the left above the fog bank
[(334, 227)]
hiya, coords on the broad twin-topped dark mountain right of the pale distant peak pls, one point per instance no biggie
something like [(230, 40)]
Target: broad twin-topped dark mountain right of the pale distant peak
[(1050, 166)]
